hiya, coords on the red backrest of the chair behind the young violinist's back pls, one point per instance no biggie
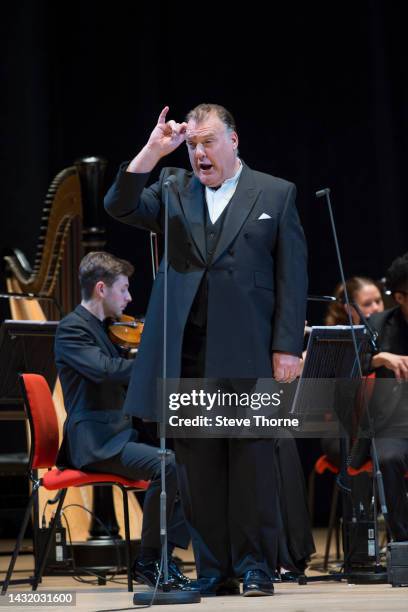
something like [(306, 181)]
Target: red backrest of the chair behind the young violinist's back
[(40, 411)]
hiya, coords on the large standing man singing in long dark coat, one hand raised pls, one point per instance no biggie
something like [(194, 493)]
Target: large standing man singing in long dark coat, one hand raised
[(236, 309)]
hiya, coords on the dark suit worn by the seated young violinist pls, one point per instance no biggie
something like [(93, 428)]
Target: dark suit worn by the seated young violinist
[(98, 436)]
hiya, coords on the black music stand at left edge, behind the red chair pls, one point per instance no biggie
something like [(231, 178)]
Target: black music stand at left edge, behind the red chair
[(25, 346)]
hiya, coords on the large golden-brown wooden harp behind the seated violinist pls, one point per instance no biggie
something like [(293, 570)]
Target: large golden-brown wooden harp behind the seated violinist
[(70, 227)]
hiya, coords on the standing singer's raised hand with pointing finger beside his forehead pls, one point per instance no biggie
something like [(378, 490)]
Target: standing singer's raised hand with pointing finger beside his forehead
[(164, 139)]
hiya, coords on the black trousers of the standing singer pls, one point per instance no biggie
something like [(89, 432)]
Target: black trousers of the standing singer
[(229, 491)]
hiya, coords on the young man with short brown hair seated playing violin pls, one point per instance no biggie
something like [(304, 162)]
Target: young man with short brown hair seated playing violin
[(97, 435)]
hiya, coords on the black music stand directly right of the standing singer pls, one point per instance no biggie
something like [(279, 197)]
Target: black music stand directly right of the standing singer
[(331, 354)]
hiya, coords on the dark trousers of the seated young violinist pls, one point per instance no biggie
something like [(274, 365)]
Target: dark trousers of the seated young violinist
[(139, 461)]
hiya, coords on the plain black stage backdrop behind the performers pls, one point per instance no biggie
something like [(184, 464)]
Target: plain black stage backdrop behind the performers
[(318, 90)]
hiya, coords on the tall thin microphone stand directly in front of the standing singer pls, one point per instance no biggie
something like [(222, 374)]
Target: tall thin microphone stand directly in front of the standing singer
[(167, 595)]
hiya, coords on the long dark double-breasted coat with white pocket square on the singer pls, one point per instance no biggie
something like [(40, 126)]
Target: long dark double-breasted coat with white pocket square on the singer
[(257, 277)]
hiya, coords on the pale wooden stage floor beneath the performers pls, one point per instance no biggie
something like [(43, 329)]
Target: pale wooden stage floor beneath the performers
[(313, 597)]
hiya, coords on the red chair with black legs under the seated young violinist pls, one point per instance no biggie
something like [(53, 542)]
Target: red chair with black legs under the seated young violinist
[(42, 418)]
